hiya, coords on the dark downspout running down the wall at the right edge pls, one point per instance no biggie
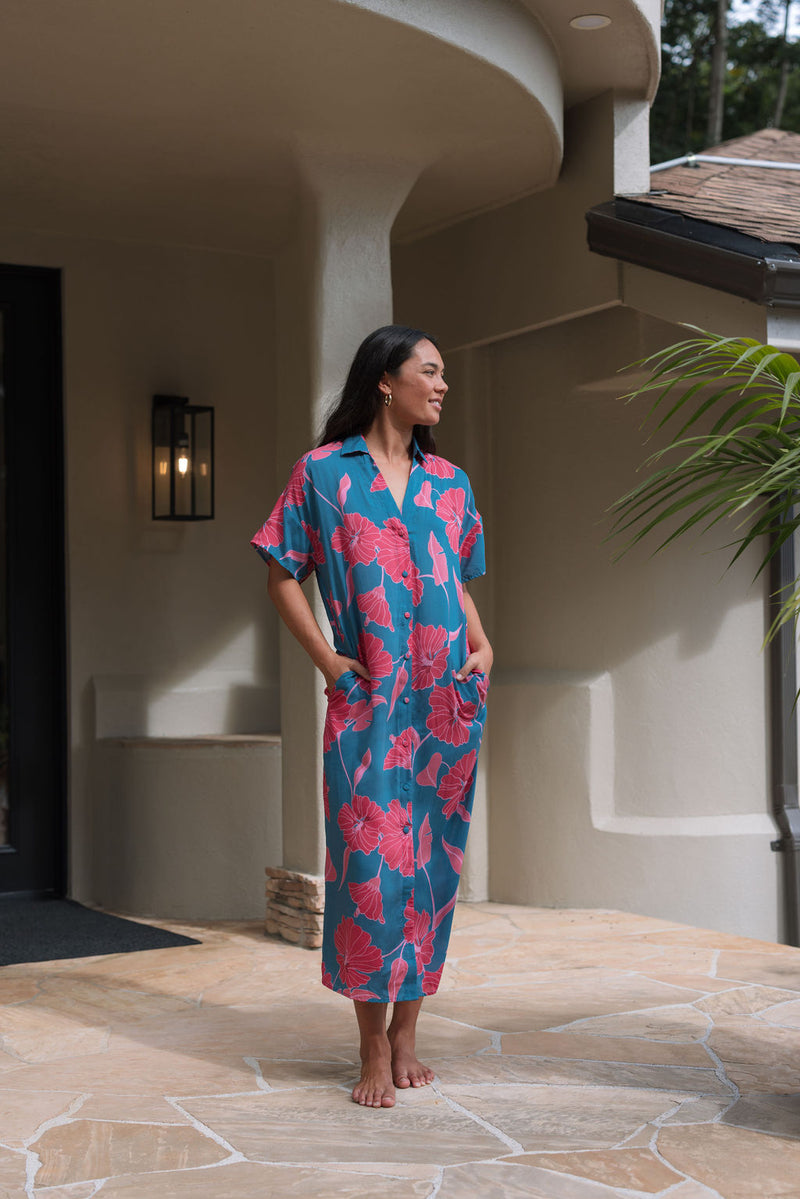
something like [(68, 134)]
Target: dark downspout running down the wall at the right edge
[(784, 736)]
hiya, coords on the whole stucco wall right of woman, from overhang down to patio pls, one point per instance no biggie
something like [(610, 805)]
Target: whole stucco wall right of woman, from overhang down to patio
[(627, 757)]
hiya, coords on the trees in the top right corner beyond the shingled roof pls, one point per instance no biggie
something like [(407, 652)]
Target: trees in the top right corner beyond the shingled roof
[(756, 82)]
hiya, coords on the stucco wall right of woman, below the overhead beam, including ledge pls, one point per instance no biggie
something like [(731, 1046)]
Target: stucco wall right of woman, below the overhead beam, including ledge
[(629, 745)]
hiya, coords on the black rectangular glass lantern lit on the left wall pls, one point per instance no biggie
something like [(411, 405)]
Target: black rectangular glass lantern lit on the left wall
[(183, 460)]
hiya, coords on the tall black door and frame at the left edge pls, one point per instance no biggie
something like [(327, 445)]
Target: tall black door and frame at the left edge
[(35, 861)]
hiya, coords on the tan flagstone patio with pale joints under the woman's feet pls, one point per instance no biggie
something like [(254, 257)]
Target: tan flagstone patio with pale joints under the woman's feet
[(580, 1056)]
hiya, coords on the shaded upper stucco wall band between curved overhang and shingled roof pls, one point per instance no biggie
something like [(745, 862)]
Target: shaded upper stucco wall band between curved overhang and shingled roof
[(522, 266)]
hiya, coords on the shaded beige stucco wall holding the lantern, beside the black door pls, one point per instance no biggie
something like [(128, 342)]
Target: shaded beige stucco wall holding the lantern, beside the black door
[(170, 630)]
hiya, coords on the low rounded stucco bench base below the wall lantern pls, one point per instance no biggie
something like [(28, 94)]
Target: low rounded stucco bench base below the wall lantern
[(184, 827)]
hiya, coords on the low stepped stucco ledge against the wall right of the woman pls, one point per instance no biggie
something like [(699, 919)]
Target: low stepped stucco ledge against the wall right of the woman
[(560, 841)]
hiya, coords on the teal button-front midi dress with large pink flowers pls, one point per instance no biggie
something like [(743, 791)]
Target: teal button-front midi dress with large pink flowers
[(400, 751)]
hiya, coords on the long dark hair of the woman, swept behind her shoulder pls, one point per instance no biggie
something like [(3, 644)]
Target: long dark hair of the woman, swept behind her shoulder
[(383, 352)]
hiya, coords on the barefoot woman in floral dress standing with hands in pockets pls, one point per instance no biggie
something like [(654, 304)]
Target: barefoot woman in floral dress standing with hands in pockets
[(393, 532)]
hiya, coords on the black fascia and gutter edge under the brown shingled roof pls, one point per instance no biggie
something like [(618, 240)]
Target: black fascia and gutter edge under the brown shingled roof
[(714, 256)]
